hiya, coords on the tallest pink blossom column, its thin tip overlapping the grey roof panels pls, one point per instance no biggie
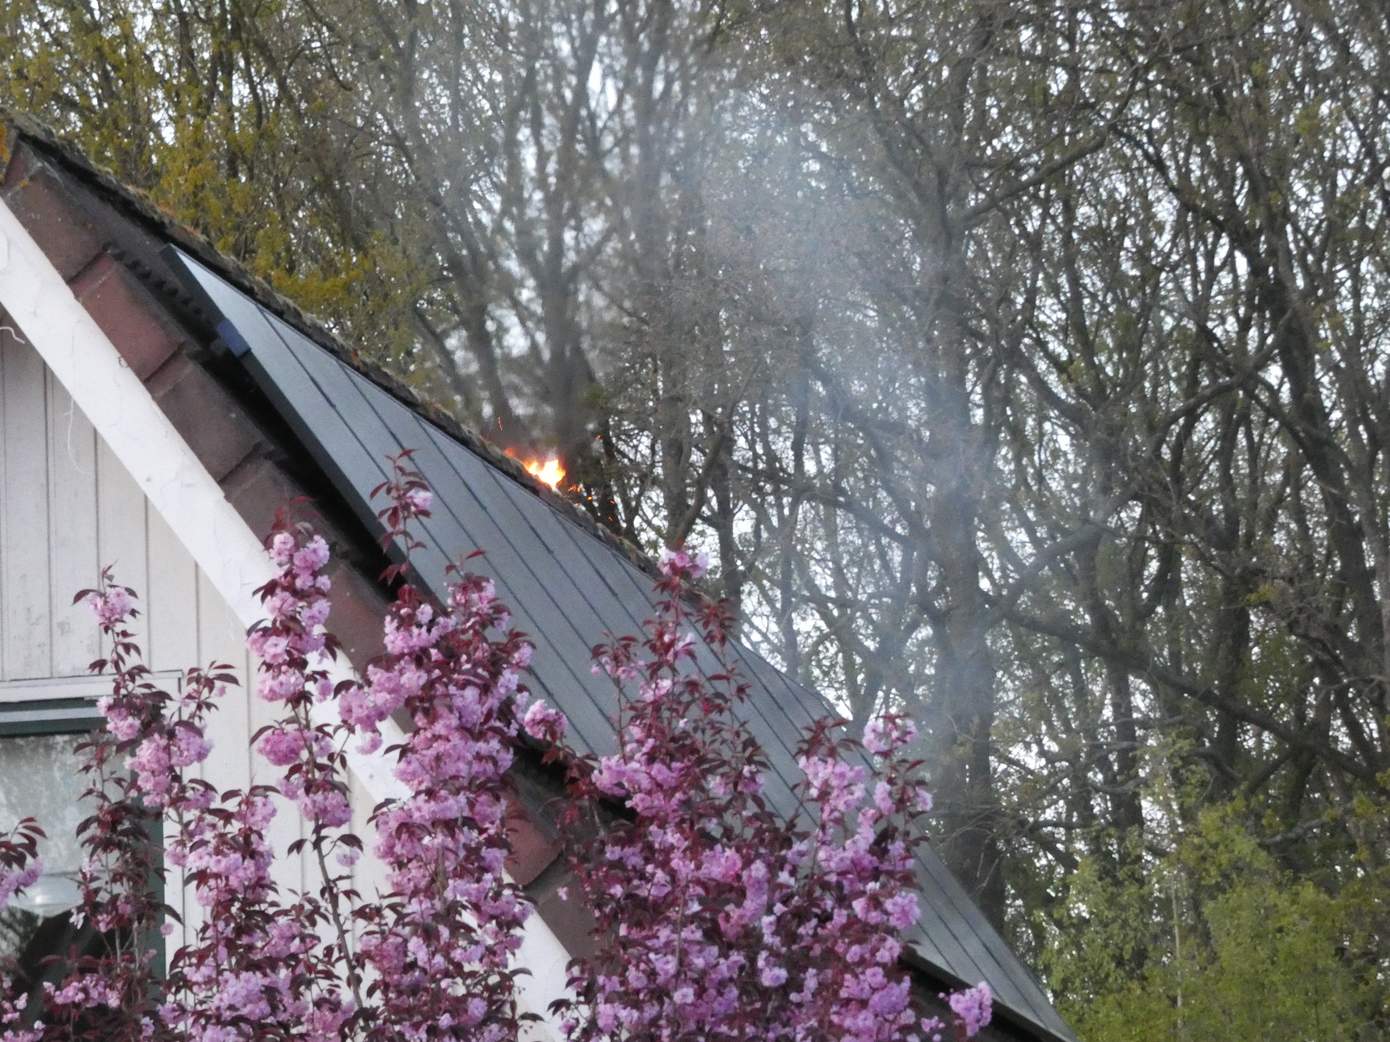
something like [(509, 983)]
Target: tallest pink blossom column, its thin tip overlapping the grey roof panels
[(443, 948)]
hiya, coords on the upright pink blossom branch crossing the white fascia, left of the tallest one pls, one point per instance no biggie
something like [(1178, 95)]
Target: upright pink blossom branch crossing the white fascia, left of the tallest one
[(266, 964)]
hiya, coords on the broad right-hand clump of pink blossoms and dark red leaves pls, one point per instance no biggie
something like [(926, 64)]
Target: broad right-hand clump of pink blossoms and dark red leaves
[(718, 918)]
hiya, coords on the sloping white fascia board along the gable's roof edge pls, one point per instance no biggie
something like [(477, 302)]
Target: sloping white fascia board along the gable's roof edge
[(191, 502)]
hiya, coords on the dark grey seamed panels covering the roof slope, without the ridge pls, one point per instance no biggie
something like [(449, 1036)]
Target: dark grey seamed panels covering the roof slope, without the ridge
[(568, 590)]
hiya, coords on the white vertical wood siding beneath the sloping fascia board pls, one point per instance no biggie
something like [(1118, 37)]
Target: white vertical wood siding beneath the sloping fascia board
[(67, 509)]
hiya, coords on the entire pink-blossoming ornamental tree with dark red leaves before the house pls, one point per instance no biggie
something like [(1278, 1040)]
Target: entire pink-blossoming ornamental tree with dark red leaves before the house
[(715, 916)]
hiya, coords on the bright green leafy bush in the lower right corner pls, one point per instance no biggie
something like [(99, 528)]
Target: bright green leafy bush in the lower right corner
[(1218, 943)]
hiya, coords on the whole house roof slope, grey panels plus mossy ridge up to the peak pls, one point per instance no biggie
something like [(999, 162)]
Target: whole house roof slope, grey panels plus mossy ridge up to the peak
[(569, 581)]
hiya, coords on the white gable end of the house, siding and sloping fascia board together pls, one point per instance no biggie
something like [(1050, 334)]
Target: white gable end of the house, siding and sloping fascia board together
[(142, 483)]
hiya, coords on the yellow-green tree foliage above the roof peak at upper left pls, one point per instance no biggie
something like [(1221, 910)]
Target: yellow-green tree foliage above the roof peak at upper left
[(216, 112)]
